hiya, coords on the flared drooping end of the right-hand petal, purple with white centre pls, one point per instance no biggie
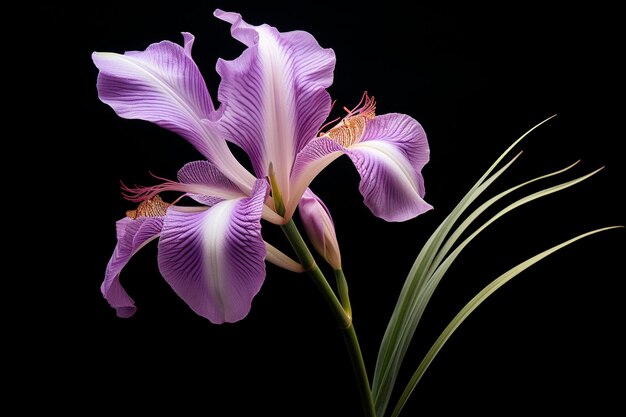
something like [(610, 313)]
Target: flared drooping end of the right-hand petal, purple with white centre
[(389, 157)]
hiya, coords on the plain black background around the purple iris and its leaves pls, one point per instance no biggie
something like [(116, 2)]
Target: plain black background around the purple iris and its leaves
[(476, 77)]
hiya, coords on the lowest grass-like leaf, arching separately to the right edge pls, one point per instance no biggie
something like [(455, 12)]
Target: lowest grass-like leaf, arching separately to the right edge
[(471, 306)]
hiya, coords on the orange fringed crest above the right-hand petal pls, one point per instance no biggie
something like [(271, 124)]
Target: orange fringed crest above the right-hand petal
[(351, 128)]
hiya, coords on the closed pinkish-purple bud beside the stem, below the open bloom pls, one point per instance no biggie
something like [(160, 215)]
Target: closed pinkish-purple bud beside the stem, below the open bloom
[(319, 227)]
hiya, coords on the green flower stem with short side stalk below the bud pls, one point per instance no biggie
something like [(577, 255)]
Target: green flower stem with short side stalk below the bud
[(344, 319)]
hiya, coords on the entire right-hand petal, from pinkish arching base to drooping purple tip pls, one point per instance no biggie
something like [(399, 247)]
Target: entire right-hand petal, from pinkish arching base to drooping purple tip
[(389, 156)]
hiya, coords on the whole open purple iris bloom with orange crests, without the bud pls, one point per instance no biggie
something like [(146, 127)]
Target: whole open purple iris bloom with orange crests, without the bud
[(274, 105)]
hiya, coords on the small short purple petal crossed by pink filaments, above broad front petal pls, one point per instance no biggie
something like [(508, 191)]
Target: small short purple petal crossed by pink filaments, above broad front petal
[(206, 173)]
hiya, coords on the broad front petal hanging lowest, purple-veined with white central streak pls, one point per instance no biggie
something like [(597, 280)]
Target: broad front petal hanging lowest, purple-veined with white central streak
[(214, 260)]
